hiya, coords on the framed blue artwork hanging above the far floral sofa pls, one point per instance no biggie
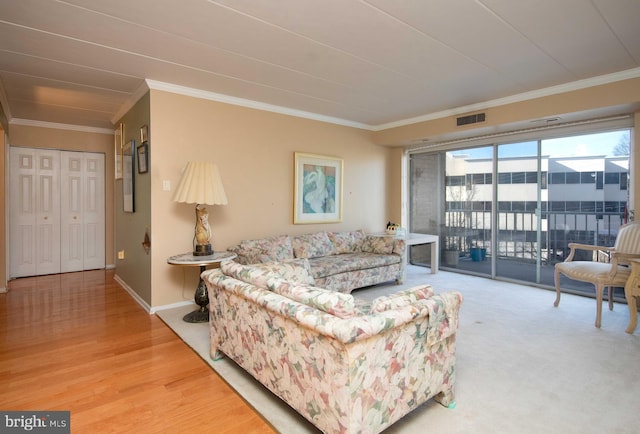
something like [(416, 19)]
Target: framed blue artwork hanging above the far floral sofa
[(317, 189)]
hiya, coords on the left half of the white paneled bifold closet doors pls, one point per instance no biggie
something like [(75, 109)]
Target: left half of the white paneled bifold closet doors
[(35, 212)]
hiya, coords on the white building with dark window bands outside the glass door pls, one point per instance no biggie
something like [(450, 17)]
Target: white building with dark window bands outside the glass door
[(578, 199)]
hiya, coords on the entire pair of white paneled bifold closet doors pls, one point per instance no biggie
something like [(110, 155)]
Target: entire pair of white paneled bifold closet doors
[(57, 217)]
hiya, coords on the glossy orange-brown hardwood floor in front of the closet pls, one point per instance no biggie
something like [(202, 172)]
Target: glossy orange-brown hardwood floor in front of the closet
[(79, 342)]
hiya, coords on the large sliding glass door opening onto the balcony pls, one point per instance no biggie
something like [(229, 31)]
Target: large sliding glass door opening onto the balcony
[(510, 210)]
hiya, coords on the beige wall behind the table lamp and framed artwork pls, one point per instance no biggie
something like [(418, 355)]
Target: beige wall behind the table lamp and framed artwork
[(254, 151)]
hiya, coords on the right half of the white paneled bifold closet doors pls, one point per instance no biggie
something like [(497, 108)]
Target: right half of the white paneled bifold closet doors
[(82, 211)]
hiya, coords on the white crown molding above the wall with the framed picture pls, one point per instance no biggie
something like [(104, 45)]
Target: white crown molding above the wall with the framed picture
[(212, 96)]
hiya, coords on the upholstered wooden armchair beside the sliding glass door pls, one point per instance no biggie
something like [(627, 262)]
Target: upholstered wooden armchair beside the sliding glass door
[(602, 274)]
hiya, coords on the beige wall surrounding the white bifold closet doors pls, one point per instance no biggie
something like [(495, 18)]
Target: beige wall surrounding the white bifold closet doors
[(51, 138)]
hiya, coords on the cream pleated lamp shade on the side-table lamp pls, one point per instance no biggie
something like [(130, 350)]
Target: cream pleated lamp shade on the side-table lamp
[(200, 184)]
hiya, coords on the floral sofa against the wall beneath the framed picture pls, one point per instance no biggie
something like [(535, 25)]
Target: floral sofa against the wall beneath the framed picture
[(340, 261)]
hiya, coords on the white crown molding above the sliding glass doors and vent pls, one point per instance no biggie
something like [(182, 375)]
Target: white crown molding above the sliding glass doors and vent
[(553, 90)]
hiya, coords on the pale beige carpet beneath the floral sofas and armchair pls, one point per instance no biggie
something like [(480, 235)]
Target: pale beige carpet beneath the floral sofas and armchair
[(523, 366)]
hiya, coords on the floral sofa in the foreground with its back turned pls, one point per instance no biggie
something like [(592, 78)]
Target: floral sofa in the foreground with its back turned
[(345, 365)]
